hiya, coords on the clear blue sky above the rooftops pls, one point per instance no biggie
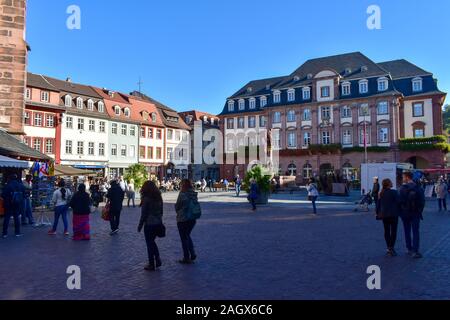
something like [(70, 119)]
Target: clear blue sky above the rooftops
[(194, 54)]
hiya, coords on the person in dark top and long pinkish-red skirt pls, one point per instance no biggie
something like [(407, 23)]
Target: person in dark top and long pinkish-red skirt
[(81, 205)]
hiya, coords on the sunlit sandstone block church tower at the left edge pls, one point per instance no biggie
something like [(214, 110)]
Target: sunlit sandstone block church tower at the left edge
[(13, 63)]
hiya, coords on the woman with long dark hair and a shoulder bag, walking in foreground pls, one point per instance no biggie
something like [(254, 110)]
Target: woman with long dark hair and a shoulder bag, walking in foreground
[(151, 221)]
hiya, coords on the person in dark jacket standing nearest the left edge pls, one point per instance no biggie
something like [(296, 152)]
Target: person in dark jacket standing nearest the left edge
[(13, 200)]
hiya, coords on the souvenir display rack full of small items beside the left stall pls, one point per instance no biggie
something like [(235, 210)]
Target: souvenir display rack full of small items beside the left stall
[(44, 184)]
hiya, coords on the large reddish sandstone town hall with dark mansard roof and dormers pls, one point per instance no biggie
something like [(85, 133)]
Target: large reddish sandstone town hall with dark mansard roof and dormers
[(322, 117)]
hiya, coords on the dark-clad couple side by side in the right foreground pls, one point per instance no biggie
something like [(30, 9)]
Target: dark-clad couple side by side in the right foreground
[(408, 204)]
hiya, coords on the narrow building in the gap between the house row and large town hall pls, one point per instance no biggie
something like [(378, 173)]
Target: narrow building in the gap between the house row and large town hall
[(200, 122)]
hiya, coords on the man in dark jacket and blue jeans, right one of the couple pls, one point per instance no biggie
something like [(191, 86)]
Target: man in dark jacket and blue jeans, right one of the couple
[(412, 202)]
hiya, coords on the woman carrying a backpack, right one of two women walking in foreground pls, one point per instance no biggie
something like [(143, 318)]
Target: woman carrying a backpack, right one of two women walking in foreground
[(188, 211)]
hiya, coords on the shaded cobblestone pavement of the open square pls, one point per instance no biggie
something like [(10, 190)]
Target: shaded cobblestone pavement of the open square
[(280, 252)]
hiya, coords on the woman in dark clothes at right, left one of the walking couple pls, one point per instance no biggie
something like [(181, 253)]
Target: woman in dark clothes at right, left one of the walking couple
[(388, 212)]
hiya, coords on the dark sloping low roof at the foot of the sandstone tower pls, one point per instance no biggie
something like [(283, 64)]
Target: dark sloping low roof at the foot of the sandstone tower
[(11, 146)]
